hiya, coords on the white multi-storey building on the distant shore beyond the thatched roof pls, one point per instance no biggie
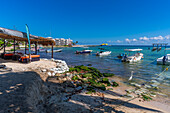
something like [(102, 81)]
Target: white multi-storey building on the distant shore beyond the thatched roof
[(62, 41)]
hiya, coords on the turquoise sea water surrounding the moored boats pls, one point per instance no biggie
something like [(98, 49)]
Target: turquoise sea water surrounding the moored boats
[(145, 70)]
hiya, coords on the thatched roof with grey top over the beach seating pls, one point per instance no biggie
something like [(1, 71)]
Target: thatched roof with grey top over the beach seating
[(22, 36)]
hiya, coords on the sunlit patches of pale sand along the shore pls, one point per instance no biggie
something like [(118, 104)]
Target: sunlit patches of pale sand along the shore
[(115, 95)]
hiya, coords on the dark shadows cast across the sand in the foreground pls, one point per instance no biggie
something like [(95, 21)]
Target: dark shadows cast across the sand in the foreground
[(13, 97)]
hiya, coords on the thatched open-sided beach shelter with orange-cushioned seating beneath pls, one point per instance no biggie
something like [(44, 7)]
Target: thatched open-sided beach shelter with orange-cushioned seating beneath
[(22, 36)]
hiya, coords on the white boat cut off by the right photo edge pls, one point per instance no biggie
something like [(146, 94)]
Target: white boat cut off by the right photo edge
[(164, 60)]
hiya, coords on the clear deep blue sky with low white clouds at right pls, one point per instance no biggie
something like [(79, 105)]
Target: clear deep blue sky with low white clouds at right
[(91, 21)]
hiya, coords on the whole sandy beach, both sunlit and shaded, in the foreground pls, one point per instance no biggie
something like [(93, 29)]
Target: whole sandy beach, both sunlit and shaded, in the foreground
[(29, 89)]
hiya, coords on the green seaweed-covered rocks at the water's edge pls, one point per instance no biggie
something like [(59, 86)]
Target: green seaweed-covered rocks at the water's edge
[(92, 77)]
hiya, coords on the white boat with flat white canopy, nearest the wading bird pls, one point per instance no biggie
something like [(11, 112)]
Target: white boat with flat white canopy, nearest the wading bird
[(134, 58)]
